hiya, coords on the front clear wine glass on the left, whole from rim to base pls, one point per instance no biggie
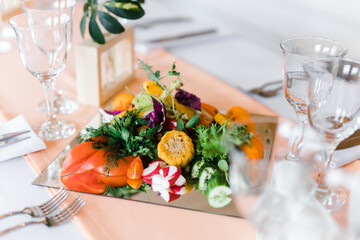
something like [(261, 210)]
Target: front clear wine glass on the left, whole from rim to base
[(42, 42)]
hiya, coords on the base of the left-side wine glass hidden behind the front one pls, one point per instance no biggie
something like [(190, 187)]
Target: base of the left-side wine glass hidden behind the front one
[(62, 105)]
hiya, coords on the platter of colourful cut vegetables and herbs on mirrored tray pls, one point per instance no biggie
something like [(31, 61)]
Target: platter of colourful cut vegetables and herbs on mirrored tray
[(163, 144)]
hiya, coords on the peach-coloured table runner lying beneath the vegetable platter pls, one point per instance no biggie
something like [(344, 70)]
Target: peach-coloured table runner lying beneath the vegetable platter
[(110, 218)]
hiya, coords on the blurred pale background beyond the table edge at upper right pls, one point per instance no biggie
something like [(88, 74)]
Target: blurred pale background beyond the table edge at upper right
[(267, 22)]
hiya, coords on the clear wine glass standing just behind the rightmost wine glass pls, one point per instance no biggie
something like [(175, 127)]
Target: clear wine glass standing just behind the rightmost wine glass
[(298, 51)]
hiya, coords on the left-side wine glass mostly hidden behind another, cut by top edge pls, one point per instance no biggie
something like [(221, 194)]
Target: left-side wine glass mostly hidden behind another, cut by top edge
[(62, 105)]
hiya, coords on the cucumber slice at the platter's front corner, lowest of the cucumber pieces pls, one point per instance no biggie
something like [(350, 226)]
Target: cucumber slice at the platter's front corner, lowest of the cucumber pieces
[(217, 191)]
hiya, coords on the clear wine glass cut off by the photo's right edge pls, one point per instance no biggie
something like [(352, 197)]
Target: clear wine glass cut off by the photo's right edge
[(334, 113)]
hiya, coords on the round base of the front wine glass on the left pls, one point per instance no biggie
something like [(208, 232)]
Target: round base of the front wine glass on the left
[(55, 130)]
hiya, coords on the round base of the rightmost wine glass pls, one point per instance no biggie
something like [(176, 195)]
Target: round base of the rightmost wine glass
[(332, 198)]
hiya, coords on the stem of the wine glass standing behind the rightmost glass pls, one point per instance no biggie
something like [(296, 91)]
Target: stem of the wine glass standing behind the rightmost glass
[(295, 149)]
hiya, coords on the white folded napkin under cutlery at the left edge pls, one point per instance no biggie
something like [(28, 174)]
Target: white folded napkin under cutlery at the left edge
[(32, 144)]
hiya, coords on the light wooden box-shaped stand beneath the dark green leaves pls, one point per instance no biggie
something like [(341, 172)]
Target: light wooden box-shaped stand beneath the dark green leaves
[(103, 70)]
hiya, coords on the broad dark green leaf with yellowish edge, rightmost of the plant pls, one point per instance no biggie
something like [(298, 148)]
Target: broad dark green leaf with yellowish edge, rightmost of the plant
[(125, 9)]
